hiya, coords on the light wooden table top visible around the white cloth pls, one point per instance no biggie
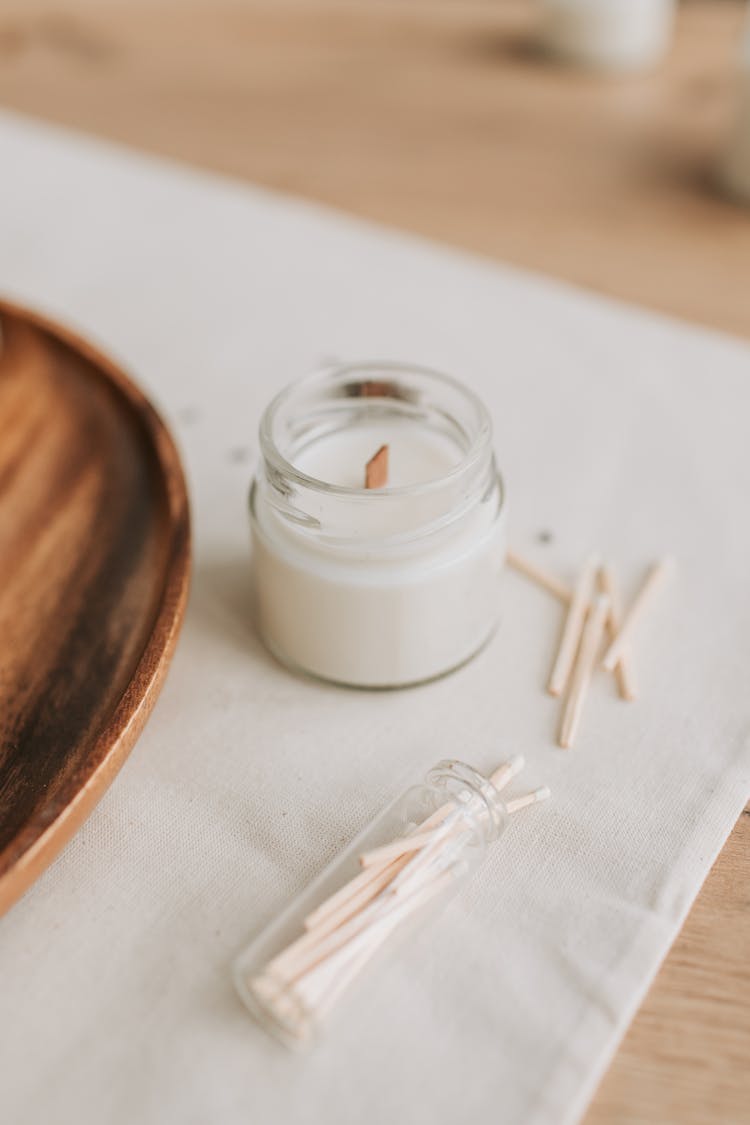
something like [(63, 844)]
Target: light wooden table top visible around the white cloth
[(440, 119)]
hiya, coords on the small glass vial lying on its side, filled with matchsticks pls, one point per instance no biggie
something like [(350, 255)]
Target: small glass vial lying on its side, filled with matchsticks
[(299, 969)]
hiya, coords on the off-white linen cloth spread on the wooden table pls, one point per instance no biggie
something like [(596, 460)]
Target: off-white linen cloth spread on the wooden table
[(617, 430)]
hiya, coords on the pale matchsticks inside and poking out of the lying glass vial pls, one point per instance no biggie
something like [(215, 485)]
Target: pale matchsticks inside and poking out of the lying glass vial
[(302, 984)]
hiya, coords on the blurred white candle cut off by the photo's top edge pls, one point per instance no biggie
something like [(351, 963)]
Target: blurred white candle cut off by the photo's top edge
[(609, 34)]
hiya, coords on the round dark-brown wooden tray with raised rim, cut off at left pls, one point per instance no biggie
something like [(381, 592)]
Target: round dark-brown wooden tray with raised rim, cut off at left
[(95, 563)]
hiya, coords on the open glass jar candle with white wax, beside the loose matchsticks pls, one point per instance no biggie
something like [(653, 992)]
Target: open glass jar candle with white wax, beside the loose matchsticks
[(377, 588)]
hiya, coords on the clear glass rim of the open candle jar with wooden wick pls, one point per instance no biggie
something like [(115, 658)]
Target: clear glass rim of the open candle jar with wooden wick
[(275, 458)]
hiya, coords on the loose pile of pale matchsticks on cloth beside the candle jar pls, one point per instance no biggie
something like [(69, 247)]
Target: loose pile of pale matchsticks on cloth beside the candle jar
[(594, 610)]
